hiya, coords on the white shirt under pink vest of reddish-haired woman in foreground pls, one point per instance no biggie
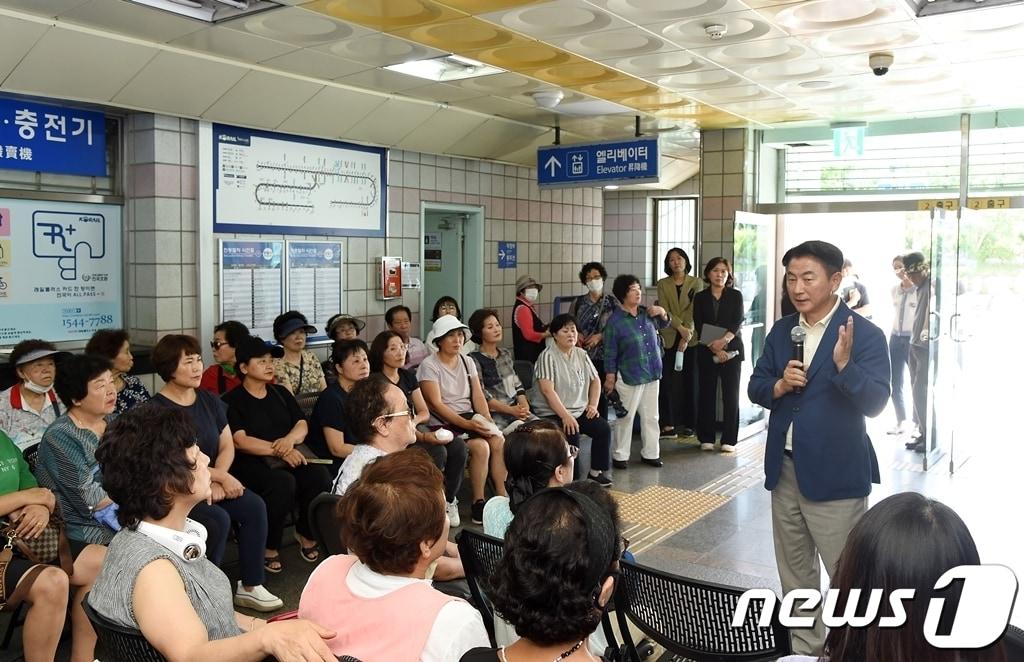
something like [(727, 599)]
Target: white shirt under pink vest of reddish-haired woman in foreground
[(457, 630)]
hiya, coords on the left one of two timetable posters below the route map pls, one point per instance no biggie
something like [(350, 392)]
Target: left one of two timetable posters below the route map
[(252, 284)]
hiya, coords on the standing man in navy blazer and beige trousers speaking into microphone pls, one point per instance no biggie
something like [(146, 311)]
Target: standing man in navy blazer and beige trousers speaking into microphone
[(820, 465)]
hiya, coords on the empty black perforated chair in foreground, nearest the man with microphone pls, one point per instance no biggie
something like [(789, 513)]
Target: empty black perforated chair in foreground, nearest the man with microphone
[(693, 619)]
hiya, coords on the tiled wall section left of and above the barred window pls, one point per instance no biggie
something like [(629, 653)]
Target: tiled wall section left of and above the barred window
[(629, 229)]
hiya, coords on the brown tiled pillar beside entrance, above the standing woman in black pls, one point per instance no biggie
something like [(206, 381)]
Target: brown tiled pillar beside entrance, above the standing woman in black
[(727, 186)]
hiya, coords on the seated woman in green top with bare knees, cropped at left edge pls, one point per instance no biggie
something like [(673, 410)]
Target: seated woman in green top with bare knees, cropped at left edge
[(29, 508)]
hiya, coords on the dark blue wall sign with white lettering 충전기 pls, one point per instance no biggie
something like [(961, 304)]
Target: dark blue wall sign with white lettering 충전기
[(51, 139)]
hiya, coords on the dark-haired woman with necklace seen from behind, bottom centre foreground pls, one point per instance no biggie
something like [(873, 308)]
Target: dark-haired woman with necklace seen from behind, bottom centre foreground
[(567, 539)]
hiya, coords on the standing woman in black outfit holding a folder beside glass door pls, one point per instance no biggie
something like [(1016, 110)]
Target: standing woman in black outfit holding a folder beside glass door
[(718, 314)]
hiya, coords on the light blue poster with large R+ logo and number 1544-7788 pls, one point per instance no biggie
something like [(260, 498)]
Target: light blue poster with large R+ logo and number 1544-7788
[(61, 275)]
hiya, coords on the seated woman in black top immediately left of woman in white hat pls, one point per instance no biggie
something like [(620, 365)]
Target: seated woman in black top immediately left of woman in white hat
[(388, 356)]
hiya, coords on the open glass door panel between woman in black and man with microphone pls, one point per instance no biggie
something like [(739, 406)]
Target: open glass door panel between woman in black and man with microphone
[(754, 249)]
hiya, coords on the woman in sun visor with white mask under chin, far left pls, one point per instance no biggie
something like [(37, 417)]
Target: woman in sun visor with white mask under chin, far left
[(30, 406)]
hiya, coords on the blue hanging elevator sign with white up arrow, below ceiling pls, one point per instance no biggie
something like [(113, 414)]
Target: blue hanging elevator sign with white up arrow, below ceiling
[(575, 165)]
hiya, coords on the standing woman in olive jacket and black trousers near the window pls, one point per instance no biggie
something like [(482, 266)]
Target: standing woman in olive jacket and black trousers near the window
[(679, 389)]
